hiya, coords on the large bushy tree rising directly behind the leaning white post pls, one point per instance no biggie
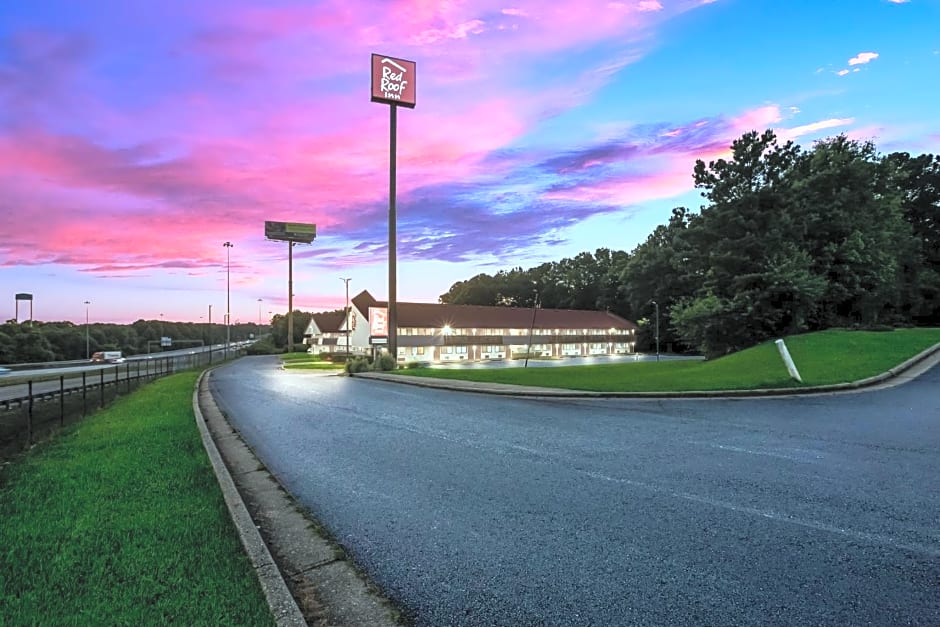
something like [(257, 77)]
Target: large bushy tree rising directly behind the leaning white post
[(738, 249)]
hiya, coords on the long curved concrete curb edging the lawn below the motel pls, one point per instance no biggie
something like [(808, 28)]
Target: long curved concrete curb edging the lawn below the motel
[(503, 389)]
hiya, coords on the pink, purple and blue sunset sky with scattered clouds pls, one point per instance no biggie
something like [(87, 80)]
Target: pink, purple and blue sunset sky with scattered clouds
[(137, 137)]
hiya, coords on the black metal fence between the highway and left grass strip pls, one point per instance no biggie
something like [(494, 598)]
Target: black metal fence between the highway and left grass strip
[(33, 407)]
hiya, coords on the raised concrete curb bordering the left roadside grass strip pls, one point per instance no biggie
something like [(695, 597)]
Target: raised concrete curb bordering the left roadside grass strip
[(284, 608)]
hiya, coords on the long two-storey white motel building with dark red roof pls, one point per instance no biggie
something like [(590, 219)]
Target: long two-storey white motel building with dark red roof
[(436, 333)]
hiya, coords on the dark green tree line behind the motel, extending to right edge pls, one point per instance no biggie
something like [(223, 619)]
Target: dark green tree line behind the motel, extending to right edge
[(790, 240)]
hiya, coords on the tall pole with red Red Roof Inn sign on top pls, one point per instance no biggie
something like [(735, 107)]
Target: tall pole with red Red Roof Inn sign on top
[(393, 83)]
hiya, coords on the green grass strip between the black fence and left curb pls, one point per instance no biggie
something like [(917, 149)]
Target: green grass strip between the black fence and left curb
[(120, 521)]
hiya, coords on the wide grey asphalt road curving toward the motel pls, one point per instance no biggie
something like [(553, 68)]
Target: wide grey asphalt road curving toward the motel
[(476, 510)]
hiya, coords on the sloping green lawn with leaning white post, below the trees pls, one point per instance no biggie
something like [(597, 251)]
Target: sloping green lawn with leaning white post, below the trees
[(827, 357)]
